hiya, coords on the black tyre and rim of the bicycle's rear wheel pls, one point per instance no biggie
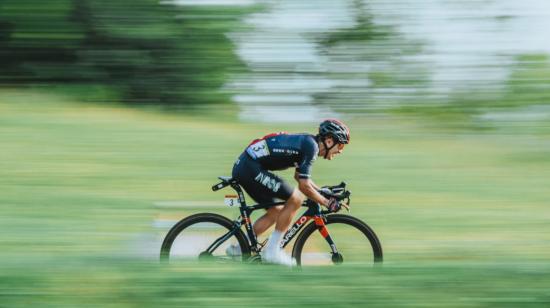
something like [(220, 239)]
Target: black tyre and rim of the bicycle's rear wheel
[(210, 219)]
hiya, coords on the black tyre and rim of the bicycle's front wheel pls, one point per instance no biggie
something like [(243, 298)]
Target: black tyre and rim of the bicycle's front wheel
[(350, 223)]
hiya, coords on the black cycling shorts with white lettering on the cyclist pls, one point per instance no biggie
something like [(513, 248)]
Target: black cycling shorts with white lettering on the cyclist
[(262, 185)]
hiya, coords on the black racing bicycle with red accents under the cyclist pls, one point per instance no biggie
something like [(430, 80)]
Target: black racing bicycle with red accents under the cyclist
[(185, 238)]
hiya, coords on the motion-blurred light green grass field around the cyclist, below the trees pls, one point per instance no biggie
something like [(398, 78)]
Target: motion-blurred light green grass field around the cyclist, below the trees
[(462, 216)]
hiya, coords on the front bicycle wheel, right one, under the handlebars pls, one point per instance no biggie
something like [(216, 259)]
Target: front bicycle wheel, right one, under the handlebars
[(355, 241)]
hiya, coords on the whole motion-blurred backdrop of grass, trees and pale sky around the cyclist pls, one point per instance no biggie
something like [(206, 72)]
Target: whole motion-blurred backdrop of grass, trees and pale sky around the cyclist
[(117, 116)]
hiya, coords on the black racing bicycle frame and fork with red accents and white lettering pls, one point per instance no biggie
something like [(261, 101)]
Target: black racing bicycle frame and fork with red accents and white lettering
[(313, 212)]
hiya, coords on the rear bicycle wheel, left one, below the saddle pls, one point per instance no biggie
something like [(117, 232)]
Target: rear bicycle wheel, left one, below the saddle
[(204, 236)]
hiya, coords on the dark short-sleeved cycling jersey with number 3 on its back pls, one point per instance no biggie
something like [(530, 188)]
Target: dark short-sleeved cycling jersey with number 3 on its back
[(281, 151)]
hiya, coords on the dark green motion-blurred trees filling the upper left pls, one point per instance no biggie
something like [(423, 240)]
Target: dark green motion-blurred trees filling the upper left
[(149, 52)]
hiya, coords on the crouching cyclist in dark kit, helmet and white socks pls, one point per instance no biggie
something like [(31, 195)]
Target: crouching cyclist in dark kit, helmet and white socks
[(281, 151)]
